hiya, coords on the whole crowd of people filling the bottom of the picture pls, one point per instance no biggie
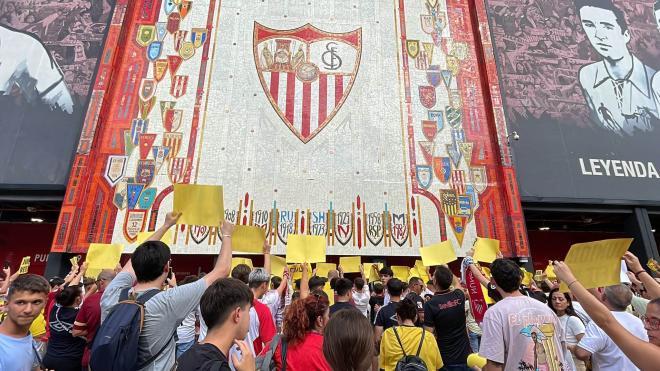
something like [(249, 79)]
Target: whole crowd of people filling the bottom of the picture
[(137, 317)]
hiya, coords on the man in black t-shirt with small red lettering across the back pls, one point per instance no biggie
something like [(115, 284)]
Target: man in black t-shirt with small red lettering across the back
[(445, 315)]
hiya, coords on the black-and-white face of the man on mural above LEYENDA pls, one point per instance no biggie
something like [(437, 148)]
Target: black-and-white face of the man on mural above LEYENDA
[(604, 32)]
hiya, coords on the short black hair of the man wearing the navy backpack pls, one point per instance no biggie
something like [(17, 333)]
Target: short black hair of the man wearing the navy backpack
[(149, 260)]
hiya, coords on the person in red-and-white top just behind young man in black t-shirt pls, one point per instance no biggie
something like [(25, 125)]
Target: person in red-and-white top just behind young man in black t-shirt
[(262, 328)]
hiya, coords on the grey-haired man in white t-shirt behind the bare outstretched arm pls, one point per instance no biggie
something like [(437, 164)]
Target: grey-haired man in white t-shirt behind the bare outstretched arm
[(604, 353)]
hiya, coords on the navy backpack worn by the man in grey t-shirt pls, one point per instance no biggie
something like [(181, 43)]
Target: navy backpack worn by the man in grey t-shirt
[(115, 346)]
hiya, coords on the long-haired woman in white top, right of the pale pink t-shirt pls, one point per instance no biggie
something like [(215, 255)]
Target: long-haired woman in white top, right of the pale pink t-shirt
[(562, 305)]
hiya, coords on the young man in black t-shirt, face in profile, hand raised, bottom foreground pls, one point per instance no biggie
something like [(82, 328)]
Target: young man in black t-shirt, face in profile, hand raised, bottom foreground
[(225, 307)]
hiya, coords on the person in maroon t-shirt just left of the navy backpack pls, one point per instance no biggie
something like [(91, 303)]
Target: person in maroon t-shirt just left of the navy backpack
[(88, 318)]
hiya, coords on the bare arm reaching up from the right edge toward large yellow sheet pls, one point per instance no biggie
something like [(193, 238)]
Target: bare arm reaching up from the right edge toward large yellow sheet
[(640, 352)]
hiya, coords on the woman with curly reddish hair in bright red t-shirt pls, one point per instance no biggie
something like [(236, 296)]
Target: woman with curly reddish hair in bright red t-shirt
[(302, 338)]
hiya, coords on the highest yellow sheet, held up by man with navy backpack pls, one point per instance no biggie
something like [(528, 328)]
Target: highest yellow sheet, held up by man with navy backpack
[(200, 204)]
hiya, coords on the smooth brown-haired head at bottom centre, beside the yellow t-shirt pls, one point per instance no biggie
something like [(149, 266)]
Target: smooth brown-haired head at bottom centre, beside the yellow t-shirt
[(348, 341)]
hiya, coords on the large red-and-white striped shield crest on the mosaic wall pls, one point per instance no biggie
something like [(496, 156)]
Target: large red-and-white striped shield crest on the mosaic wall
[(306, 73)]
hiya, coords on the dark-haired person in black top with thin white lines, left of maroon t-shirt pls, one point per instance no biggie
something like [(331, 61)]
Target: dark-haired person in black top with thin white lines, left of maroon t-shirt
[(64, 351)]
